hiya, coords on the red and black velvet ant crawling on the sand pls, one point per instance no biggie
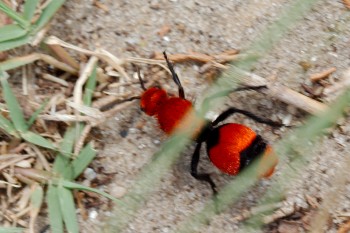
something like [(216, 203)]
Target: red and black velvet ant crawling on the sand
[(230, 147)]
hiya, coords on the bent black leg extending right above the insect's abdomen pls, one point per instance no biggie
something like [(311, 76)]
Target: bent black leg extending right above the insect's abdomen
[(233, 110)]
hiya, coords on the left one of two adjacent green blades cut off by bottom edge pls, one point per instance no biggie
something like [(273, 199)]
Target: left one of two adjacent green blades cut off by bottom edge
[(55, 214)]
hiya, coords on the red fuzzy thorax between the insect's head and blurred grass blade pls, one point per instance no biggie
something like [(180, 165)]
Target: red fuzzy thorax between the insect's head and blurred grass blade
[(172, 112)]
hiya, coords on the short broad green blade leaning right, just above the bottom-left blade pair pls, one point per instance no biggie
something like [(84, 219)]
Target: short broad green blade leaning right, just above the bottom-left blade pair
[(83, 160)]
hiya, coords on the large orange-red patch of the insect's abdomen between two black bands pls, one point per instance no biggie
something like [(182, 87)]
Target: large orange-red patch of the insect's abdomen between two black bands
[(224, 151)]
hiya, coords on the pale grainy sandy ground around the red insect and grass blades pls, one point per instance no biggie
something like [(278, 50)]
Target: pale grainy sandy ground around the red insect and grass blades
[(132, 28)]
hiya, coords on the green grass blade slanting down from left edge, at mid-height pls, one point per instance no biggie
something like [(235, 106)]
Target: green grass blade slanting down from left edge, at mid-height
[(16, 114)]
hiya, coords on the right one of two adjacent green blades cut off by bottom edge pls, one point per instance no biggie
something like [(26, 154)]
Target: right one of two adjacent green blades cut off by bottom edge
[(66, 201)]
